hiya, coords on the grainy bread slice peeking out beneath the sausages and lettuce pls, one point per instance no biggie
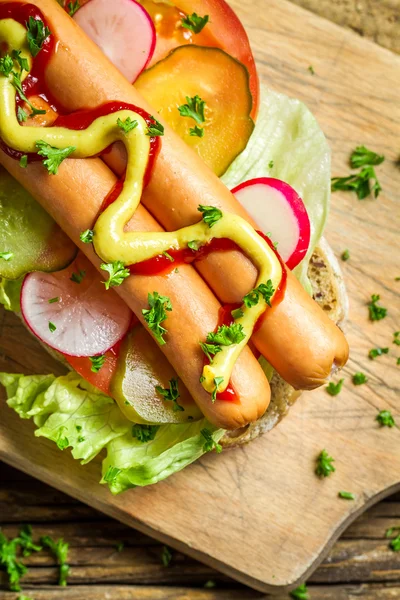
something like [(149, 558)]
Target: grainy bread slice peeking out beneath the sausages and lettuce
[(330, 293)]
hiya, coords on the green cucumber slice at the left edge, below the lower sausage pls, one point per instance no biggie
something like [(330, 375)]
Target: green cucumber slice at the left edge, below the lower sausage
[(29, 234)]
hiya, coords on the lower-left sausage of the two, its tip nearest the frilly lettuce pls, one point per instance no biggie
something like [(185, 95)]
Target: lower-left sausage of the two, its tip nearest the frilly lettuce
[(73, 198)]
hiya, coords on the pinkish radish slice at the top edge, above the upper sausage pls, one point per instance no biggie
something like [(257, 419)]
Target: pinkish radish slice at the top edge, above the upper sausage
[(123, 30)]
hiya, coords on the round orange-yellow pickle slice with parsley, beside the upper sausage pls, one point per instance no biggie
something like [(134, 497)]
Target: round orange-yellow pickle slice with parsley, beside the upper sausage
[(221, 82)]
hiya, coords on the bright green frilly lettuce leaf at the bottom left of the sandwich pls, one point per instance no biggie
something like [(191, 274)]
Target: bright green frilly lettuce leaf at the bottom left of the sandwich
[(72, 413)]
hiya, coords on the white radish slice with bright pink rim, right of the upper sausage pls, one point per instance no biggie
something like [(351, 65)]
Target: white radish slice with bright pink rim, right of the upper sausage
[(278, 209)]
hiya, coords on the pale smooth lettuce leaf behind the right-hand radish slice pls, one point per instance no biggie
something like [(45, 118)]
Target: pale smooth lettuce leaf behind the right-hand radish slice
[(287, 134)]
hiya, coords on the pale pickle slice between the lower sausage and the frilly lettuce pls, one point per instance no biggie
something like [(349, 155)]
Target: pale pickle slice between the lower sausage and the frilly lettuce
[(141, 369)]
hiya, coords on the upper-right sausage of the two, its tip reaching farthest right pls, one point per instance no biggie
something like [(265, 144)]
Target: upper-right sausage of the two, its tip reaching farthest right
[(296, 337)]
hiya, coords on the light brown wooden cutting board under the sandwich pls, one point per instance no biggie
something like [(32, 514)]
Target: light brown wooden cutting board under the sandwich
[(259, 513)]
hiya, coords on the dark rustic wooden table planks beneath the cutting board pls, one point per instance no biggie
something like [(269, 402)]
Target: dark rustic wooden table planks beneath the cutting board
[(360, 565)]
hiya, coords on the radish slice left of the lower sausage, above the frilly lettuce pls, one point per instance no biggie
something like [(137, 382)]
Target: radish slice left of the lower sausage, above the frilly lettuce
[(78, 319)]
